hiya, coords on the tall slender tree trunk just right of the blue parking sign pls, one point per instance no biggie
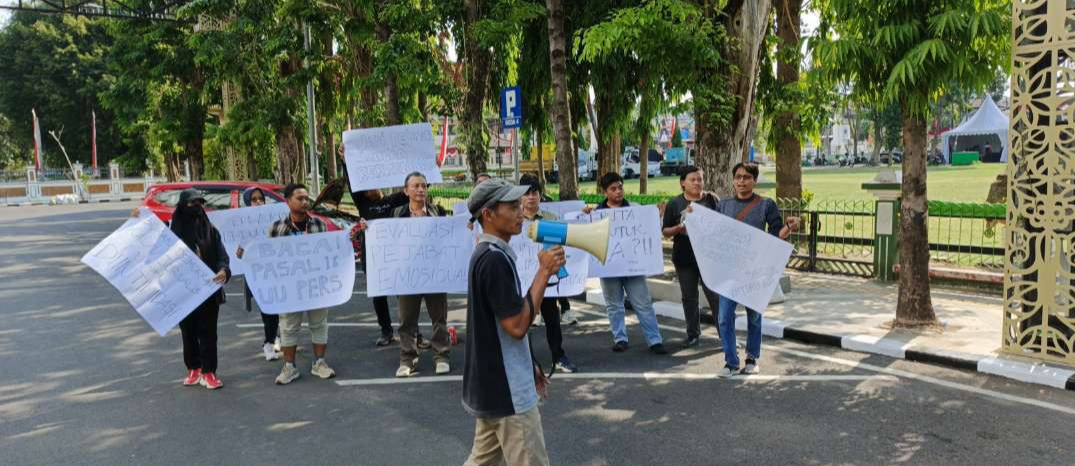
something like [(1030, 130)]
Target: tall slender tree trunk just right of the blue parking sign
[(567, 162)]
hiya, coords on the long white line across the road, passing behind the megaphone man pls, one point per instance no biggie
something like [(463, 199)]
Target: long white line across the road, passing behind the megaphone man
[(633, 376)]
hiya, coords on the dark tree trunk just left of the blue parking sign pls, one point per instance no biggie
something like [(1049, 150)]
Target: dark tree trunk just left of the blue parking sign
[(478, 82)]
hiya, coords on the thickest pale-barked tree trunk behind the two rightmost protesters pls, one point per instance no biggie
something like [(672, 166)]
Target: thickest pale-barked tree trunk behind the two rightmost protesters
[(747, 23)]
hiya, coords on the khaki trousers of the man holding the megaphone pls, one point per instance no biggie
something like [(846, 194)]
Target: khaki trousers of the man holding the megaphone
[(518, 440)]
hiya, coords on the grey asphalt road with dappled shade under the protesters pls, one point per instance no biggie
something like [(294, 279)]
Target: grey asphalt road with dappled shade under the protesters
[(84, 382)]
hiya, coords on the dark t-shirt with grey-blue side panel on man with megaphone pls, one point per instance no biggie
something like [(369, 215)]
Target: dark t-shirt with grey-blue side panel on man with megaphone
[(498, 370)]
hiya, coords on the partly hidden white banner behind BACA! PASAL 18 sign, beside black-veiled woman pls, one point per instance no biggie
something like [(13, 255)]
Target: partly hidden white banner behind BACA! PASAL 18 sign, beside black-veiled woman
[(240, 228)]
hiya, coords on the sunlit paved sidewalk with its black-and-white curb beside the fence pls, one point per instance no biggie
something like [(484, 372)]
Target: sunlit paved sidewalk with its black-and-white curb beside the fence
[(855, 314)]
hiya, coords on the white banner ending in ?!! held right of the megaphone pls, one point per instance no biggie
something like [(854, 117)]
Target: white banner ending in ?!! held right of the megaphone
[(635, 243)]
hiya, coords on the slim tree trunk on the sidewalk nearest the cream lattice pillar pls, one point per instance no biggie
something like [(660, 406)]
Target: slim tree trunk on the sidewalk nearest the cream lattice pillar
[(914, 306)]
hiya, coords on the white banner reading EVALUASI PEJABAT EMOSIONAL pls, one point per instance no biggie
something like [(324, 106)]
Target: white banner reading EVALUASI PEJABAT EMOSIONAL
[(418, 256)]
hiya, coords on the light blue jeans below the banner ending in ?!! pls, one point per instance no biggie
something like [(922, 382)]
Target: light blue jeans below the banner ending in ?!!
[(638, 292)]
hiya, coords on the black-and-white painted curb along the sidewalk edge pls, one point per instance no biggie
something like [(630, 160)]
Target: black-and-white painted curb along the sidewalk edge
[(995, 365)]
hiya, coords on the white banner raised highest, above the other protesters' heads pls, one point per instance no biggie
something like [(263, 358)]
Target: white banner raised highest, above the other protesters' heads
[(383, 158)]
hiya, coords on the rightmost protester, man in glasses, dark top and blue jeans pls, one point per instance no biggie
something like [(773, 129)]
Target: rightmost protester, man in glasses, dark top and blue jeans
[(762, 214)]
